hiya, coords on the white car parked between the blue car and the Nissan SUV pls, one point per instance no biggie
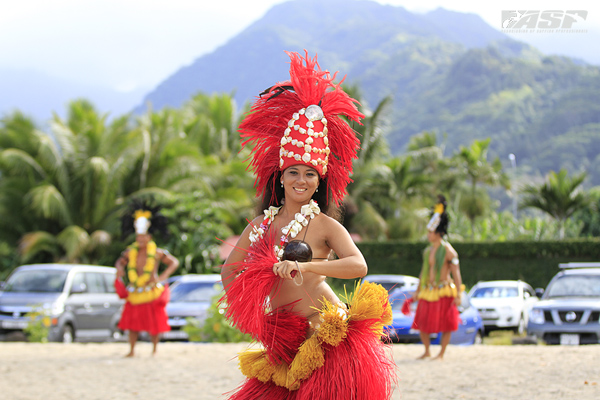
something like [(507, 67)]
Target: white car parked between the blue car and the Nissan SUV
[(503, 304)]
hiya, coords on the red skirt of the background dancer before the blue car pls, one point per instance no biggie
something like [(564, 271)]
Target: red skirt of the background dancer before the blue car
[(436, 316)]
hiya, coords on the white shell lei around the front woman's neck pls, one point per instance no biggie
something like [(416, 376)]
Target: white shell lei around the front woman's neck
[(301, 219)]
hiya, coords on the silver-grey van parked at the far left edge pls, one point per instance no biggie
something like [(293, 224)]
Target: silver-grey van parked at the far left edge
[(79, 299)]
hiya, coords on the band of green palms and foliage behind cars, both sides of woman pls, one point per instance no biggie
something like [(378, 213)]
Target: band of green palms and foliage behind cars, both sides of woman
[(62, 190)]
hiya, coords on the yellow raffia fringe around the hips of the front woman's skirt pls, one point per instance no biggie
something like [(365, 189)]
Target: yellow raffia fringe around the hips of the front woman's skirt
[(369, 301)]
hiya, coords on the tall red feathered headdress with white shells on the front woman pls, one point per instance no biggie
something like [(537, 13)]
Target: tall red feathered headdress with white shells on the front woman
[(298, 122)]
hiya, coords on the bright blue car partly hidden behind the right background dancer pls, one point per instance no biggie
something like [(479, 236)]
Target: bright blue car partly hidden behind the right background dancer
[(470, 329)]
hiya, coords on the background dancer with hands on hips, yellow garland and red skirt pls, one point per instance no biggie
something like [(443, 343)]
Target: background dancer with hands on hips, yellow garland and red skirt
[(146, 296)]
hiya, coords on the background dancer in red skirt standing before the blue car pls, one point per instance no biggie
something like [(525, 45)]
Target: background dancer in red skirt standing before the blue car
[(439, 290)]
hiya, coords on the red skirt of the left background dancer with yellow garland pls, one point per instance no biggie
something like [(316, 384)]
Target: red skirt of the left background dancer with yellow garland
[(147, 317)]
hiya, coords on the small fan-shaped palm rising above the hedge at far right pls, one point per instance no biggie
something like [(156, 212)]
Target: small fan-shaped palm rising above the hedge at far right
[(559, 196)]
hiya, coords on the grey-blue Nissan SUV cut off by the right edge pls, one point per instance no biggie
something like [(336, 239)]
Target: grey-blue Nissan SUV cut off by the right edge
[(569, 310)]
